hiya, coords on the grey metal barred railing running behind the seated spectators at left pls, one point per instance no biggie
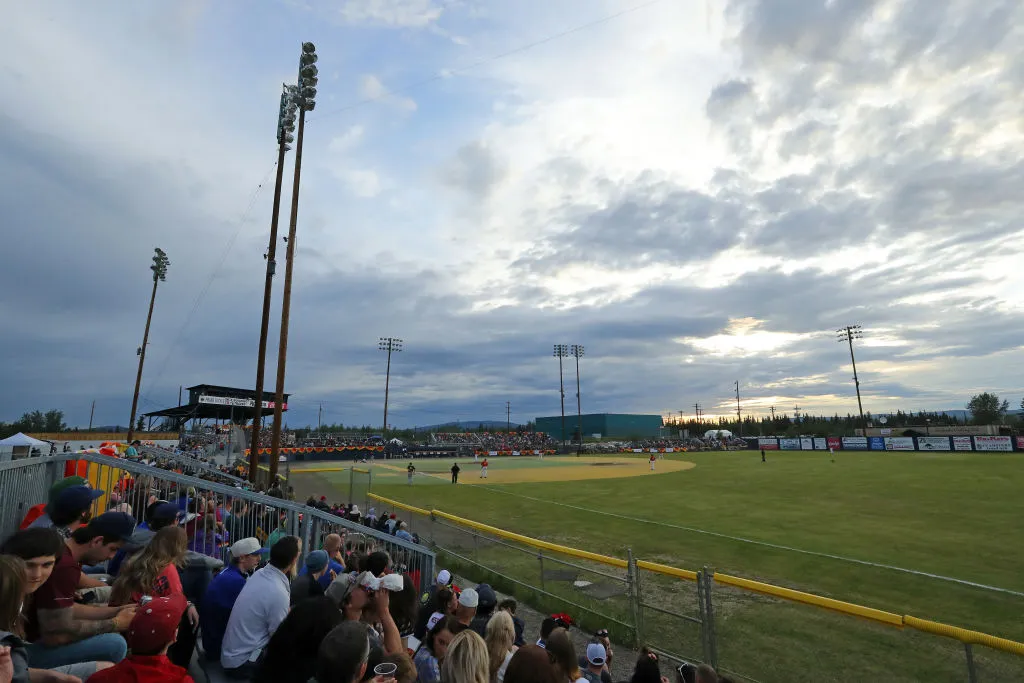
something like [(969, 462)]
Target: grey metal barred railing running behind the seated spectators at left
[(212, 528)]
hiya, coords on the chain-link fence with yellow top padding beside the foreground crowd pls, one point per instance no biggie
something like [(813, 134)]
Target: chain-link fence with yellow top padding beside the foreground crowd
[(689, 616)]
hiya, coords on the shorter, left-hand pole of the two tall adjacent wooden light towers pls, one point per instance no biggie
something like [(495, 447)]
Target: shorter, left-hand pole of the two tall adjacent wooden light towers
[(286, 124)]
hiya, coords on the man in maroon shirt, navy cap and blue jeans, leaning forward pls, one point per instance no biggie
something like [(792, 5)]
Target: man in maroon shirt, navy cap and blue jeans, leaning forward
[(62, 636)]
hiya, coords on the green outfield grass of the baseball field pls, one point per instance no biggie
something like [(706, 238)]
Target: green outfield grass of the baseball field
[(954, 516)]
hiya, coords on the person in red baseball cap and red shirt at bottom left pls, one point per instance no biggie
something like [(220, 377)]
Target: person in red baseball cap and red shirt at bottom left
[(152, 632)]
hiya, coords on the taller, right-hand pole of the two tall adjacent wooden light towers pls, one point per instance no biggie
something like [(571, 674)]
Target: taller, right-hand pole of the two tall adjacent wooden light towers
[(306, 96)]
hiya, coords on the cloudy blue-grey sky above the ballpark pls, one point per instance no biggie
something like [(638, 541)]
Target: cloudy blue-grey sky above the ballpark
[(699, 192)]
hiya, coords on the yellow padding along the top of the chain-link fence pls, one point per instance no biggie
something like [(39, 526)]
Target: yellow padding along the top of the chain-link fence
[(876, 616)]
